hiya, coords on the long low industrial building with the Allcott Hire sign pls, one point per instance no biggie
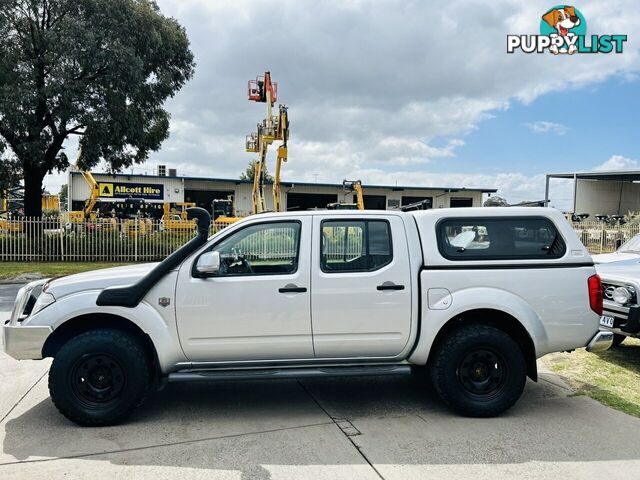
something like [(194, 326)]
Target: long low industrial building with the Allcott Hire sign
[(158, 189)]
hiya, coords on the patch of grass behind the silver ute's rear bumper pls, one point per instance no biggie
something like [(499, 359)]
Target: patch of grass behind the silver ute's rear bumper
[(611, 377)]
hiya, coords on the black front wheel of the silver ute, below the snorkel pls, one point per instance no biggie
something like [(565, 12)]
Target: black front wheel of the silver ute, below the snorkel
[(99, 377)]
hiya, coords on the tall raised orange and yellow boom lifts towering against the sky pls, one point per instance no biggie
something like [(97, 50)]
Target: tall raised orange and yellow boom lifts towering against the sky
[(273, 128)]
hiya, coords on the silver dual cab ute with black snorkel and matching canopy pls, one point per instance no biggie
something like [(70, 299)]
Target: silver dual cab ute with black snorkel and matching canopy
[(469, 297)]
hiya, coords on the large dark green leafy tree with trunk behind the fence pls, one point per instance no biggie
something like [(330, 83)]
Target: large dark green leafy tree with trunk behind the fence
[(99, 69)]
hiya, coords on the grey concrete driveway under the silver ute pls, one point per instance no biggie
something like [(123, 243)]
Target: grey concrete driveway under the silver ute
[(370, 428)]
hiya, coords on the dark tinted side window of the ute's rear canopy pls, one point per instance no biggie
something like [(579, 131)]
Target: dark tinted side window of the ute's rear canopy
[(499, 238)]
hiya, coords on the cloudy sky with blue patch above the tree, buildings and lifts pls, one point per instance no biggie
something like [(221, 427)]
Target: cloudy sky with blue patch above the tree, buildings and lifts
[(414, 93)]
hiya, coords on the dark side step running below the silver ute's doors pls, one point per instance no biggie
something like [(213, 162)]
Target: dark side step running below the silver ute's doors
[(297, 372)]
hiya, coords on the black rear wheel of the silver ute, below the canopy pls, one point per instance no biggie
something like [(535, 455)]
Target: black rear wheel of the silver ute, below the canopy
[(478, 371)]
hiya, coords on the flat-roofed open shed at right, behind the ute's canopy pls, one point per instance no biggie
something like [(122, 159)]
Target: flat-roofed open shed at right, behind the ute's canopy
[(602, 193)]
